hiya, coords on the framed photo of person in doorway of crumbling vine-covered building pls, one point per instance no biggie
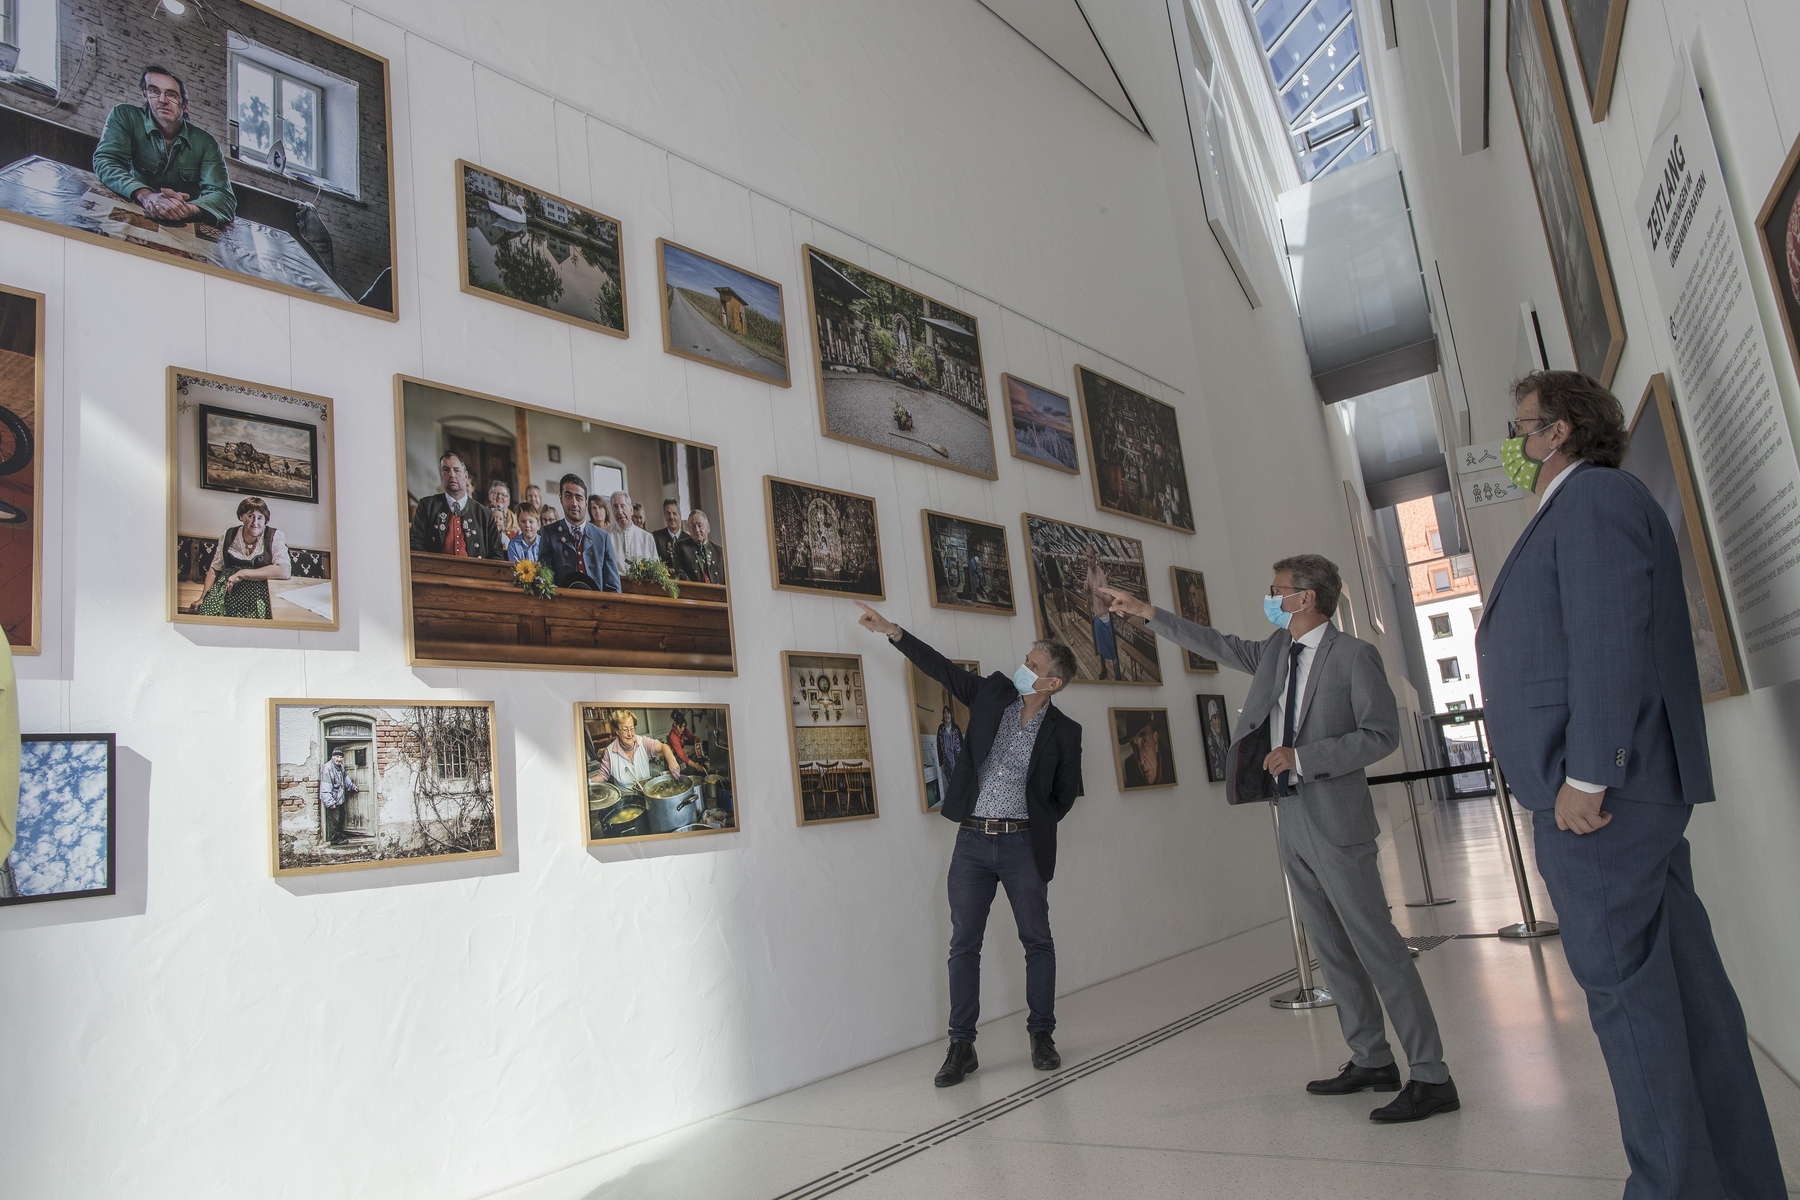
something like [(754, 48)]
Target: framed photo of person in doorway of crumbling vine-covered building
[(381, 784)]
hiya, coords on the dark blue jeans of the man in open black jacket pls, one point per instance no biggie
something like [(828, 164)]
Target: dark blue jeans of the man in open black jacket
[(982, 861)]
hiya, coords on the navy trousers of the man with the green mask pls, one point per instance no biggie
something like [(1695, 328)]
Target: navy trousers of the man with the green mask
[(1669, 1023)]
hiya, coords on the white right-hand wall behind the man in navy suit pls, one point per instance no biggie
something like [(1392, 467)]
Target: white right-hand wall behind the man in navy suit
[(1480, 228)]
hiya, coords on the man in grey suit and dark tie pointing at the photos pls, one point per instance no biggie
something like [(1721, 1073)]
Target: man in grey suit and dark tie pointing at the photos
[(1318, 713)]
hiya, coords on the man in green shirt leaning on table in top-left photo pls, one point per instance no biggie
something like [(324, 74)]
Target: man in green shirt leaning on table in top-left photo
[(156, 157)]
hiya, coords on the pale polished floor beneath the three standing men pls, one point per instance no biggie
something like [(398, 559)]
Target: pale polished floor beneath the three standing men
[(1182, 1082)]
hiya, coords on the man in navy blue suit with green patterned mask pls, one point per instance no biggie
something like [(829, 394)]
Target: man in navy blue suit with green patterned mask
[(1594, 712)]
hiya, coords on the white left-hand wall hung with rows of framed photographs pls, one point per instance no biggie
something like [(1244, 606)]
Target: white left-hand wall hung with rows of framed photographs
[(449, 1030)]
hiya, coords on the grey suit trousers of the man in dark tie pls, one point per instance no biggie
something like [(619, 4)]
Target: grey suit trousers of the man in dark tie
[(1363, 958)]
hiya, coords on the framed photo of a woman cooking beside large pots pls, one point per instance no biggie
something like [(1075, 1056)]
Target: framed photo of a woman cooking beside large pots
[(658, 771)]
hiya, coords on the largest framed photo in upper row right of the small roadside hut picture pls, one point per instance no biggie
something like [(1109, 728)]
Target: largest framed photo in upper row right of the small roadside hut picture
[(897, 370)]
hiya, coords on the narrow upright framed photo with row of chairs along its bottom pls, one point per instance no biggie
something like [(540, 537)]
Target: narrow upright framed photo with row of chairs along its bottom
[(829, 739)]
